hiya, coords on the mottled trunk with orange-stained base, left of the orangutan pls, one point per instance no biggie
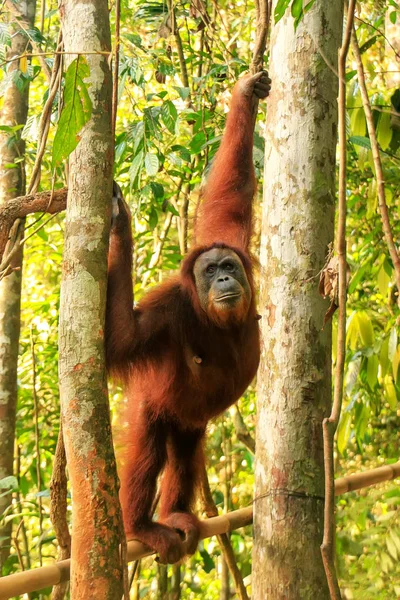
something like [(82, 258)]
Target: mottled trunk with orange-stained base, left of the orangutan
[(96, 568)]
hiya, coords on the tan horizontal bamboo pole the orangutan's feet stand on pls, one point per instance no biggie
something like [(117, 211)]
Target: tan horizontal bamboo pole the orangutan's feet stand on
[(36, 579)]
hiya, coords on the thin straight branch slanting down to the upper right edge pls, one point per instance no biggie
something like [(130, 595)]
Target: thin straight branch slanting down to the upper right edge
[(378, 164)]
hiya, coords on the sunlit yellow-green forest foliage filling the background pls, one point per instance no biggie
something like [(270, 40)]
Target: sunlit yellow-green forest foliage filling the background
[(175, 76)]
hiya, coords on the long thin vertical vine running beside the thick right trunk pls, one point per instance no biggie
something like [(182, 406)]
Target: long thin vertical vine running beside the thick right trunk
[(330, 424)]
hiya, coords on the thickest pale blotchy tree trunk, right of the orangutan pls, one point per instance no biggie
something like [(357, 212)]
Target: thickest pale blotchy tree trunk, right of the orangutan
[(294, 380)]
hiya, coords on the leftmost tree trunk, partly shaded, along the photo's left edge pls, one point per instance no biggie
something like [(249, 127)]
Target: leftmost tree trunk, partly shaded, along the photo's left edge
[(12, 183)]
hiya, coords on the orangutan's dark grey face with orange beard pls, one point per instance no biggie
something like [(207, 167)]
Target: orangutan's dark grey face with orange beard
[(222, 284)]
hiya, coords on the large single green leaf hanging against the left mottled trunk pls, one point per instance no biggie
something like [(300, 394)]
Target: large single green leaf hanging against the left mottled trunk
[(76, 112)]
